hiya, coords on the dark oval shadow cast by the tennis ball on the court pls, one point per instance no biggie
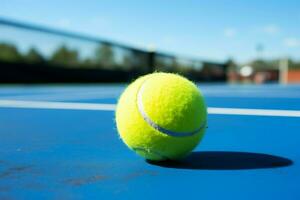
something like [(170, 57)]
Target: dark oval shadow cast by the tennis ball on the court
[(226, 160)]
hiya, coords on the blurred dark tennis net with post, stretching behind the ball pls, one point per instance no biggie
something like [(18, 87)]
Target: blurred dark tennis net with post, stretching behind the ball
[(34, 54)]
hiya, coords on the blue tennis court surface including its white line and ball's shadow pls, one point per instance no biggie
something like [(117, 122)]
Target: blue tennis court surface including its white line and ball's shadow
[(60, 142)]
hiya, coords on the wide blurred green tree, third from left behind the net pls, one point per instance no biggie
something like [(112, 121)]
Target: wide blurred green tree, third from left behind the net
[(64, 56)]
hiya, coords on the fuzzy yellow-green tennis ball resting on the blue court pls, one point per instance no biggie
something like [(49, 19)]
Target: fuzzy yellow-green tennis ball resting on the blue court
[(161, 116)]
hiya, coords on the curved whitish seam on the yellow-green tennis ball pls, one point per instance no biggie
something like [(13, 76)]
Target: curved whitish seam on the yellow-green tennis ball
[(156, 126)]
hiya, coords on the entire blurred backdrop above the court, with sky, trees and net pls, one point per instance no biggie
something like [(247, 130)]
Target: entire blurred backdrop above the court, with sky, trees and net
[(116, 41)]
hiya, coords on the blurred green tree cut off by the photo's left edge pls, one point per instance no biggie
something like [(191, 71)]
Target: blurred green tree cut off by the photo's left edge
[(8, 52)]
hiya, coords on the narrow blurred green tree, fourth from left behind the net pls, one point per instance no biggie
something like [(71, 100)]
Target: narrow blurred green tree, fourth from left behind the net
[(104, 56)]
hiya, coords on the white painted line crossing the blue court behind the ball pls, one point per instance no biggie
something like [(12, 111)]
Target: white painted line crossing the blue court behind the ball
[(112, 107)]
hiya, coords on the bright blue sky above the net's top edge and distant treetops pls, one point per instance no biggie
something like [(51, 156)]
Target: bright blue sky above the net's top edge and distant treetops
[(212, 30)]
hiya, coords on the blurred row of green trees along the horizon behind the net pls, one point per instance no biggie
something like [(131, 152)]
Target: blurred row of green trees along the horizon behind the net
[(105, 56)]
